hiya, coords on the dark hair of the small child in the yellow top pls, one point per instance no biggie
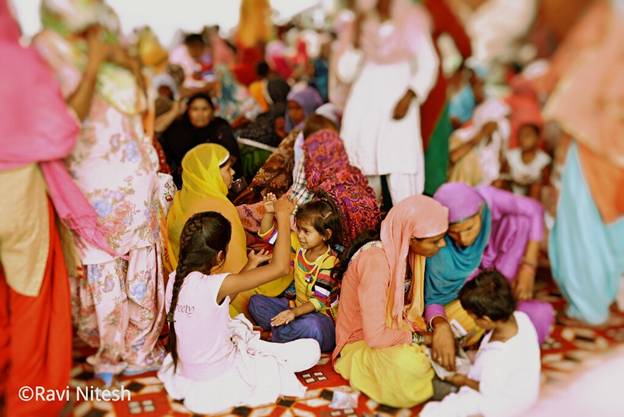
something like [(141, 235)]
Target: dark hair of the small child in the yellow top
[(323, 214)]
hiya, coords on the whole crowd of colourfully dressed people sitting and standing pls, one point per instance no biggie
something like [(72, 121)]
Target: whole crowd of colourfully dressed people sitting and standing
[(365, 191)]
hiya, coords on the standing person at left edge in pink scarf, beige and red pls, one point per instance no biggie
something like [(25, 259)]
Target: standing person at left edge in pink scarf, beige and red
[(37, 132)]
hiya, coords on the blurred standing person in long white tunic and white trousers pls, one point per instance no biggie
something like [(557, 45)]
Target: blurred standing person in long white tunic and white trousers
[(393, 64)]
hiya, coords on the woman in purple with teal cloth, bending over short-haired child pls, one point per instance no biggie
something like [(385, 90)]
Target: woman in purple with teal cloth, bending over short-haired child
[(489, 228)]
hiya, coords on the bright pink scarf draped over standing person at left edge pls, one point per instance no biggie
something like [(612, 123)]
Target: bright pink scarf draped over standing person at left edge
[(35, 126)]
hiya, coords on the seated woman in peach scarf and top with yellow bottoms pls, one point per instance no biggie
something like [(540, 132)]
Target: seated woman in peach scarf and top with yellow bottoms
[(374, 330)]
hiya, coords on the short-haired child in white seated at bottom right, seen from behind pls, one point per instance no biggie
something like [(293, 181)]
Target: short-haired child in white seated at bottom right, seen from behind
[(504, 380)]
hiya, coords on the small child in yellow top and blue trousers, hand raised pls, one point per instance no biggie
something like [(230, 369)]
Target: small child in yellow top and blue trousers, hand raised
[(311, 313)]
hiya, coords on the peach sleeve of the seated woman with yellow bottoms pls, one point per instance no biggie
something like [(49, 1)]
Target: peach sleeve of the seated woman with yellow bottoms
[(373, 297)]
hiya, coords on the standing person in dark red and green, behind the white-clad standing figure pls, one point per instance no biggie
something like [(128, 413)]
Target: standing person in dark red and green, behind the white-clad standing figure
[(434, 113)]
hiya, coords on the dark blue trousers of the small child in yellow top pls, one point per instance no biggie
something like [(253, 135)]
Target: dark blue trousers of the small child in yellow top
[(315, 326)]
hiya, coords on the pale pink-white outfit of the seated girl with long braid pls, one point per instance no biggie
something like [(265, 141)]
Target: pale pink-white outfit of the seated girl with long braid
[(219, 354)]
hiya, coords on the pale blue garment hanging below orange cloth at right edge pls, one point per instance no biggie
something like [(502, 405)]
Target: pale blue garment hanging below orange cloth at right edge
[(586, 255)]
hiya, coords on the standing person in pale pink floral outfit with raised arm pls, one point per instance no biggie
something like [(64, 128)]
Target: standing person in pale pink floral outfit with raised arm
[(121, 300)]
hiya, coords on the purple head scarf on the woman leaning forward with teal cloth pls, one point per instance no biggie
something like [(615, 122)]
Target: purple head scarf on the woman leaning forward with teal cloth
[(462, 200)]
